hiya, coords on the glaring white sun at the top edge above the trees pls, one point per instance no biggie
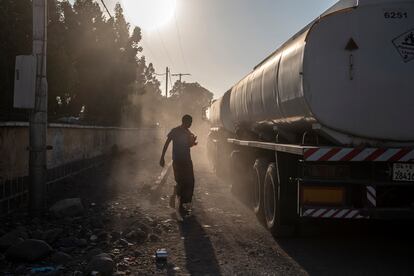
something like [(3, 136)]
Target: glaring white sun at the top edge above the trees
[(149, 14)]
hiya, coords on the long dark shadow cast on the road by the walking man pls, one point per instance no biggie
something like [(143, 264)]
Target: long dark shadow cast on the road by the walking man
[(201, 257)]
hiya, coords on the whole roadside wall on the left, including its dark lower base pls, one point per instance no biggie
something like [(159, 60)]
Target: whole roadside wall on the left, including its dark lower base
[(73, 147)]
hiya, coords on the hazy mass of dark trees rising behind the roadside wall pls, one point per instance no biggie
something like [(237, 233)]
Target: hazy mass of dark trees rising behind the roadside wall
[(95, 66)]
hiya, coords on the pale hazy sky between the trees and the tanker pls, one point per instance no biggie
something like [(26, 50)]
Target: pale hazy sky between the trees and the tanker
[(221, 40)]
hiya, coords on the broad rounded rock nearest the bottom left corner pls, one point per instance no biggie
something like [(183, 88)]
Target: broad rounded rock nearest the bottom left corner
[(29, 250)]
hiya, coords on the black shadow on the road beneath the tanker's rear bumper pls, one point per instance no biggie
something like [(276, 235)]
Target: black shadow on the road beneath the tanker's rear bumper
[(369, 248)]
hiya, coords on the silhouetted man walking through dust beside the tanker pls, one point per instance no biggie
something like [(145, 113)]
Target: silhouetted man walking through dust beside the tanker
[(182, 140)]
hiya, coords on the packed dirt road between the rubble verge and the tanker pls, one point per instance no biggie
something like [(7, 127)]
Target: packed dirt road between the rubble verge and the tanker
[(223, 237)]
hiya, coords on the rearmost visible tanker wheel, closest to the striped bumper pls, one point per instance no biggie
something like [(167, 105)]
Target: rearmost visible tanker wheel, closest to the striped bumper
[(275, 213)]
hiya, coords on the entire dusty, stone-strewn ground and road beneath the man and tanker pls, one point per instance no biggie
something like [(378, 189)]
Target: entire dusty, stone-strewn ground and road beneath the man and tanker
[(118, 218)]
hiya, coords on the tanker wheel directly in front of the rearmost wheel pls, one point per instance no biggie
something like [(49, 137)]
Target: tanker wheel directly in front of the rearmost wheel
[(259, 173)]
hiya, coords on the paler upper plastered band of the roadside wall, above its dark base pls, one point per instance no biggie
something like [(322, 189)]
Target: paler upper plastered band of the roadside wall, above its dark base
[(70, 143)]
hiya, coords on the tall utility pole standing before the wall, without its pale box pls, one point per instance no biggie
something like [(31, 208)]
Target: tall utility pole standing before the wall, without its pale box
[(38, 116)]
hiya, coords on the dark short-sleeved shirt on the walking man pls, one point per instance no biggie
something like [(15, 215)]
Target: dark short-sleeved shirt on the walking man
[(181, 138)]
